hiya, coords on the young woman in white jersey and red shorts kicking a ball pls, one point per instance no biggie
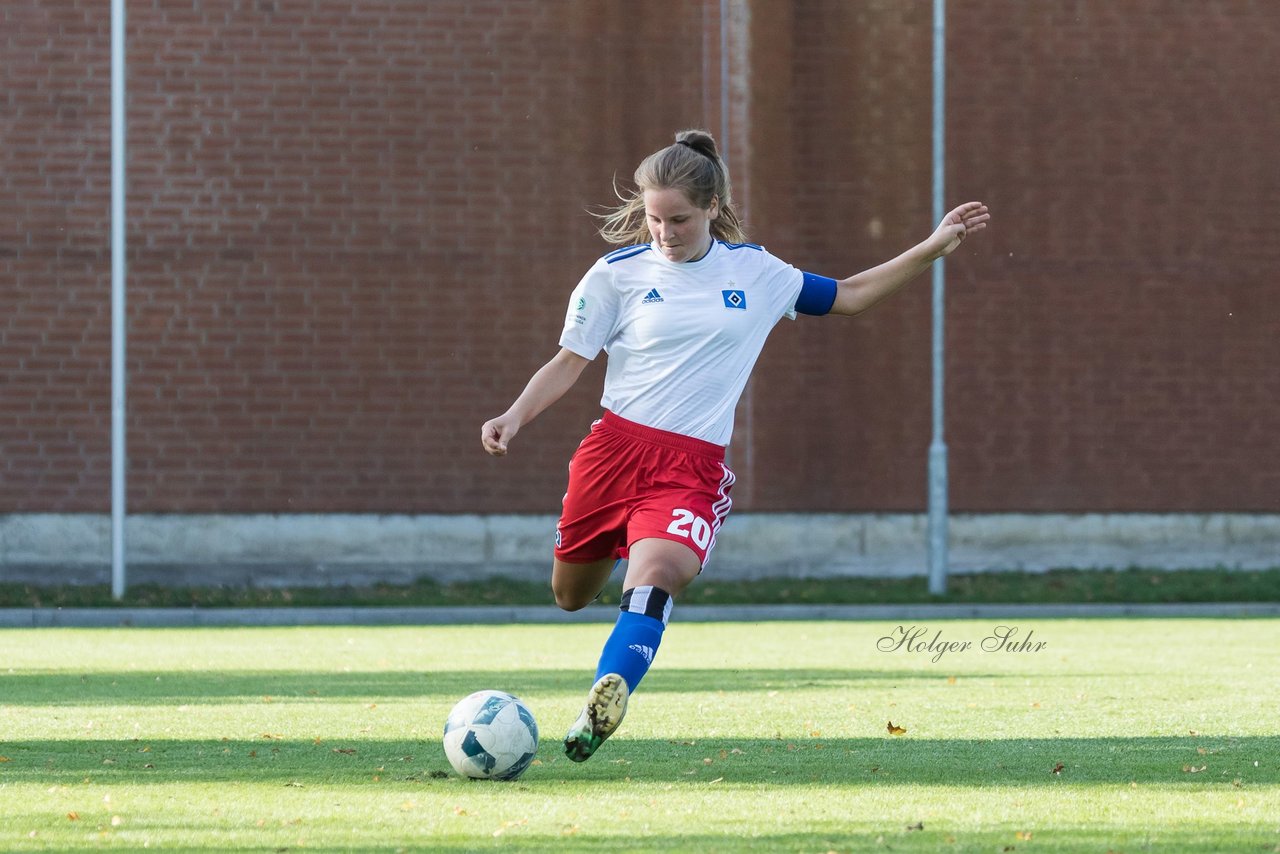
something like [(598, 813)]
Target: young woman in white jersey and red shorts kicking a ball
[(683, 312)]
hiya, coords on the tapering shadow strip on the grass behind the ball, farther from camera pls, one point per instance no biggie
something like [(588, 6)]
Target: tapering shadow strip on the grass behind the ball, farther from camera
[(163, 688)]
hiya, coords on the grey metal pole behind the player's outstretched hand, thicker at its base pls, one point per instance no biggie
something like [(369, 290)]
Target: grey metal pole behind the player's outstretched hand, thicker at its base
[(939, 449)]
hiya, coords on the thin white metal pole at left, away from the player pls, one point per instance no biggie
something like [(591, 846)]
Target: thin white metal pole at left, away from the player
[(118, 373)]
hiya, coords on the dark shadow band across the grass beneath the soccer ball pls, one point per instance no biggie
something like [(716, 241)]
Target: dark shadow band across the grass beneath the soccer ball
[(1186, 761)]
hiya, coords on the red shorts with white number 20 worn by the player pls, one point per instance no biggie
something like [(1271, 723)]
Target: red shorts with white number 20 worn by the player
[(628, 482)]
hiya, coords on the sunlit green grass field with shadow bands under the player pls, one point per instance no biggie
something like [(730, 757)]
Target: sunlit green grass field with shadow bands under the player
[(1123, 736)]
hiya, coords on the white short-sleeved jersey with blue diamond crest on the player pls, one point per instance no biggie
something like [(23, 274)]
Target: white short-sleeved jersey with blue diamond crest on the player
[(682, 337)]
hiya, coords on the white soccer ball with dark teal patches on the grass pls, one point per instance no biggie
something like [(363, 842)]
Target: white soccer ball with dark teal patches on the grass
[(491, 736)]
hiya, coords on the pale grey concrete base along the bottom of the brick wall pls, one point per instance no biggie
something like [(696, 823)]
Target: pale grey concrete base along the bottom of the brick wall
[(337, 550)]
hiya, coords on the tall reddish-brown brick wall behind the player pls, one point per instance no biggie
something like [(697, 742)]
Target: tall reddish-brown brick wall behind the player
[(354, 227)]
